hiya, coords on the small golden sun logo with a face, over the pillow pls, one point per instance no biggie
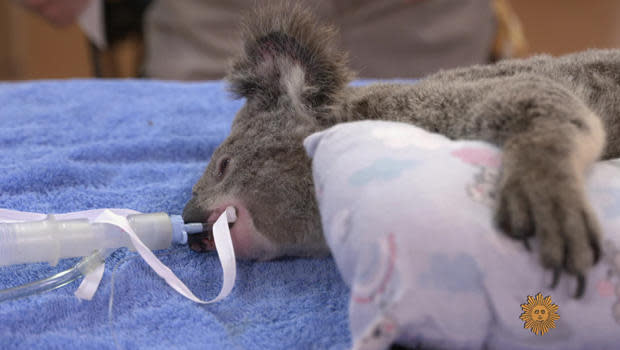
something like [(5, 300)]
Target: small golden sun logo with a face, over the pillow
[(539, 314)]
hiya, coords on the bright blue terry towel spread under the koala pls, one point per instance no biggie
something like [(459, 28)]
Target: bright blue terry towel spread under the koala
[(84, 144)]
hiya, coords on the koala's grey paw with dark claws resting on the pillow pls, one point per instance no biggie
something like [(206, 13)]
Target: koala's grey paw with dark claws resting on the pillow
[(554, 209)]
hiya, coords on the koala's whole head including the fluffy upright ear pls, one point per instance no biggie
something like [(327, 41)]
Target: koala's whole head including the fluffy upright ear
[(290, 76)]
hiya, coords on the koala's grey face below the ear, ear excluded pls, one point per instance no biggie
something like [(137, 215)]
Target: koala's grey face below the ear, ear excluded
[(263, 171)]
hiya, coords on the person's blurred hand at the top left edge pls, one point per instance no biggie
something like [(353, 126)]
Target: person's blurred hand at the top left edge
[(58, 12)]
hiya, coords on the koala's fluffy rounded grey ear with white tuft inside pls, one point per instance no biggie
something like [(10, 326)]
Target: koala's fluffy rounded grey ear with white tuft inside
[(288, 58)]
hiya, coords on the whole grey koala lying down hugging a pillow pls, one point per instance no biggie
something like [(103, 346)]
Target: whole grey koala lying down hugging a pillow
[(553, 117)]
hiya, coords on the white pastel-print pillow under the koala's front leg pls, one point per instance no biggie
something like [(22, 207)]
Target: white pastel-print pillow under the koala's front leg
[(408, 217)]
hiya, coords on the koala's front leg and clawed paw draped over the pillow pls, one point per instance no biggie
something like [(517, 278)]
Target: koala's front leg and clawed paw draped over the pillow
[(549, 138)]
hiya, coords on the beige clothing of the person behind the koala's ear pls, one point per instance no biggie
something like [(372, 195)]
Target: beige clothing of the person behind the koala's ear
[(195, 39)]
